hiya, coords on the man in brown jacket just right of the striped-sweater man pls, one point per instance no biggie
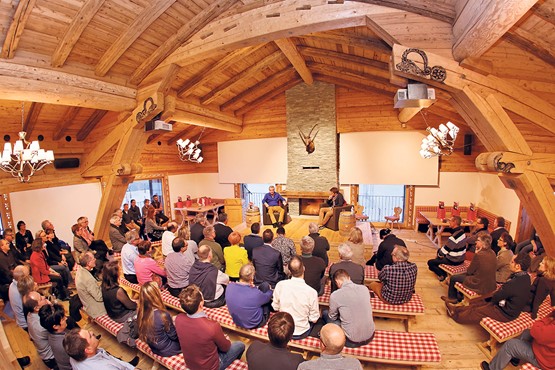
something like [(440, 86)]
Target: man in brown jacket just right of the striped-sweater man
[(480, 275)]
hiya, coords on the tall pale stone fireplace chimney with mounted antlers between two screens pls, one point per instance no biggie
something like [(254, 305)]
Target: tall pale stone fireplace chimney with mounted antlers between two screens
[(310, 176)]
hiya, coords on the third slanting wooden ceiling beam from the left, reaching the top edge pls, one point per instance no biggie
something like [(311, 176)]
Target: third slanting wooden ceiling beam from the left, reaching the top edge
[(132, 33)]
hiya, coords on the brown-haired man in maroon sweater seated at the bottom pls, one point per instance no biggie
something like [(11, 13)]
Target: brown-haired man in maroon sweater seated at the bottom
[(203, 343)]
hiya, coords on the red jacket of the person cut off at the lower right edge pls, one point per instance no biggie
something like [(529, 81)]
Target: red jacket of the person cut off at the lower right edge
[(543, 345)]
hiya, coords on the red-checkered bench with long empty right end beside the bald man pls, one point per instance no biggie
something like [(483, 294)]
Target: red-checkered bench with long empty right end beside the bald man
[(399, 348)]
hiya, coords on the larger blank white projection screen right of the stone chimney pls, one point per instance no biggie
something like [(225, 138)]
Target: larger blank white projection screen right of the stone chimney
[(385, 158)]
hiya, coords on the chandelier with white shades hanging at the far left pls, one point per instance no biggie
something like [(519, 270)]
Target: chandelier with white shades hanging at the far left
[(26, 157)]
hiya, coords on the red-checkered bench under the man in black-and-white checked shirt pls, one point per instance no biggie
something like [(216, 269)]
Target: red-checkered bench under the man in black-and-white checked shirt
[(404, 312)]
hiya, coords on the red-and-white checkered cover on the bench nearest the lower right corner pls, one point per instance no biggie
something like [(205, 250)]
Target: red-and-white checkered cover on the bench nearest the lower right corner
[(506, 330)]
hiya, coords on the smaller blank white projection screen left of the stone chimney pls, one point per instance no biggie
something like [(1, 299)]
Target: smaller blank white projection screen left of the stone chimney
[(259, 161)]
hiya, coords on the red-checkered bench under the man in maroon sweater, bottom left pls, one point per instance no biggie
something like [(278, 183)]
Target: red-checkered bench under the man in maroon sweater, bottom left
[(176, 362)]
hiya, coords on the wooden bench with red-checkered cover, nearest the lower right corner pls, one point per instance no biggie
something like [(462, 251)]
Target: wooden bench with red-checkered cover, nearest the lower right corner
[(503, 331)]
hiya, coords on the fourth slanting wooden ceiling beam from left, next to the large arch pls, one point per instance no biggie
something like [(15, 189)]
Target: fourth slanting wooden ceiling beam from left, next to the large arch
[(211, 12)]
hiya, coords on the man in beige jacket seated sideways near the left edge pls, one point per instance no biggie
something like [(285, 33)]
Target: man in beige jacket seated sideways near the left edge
[(88, 290)]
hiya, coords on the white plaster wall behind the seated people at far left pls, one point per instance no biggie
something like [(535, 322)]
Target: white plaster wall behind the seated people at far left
[(61, 205)]
